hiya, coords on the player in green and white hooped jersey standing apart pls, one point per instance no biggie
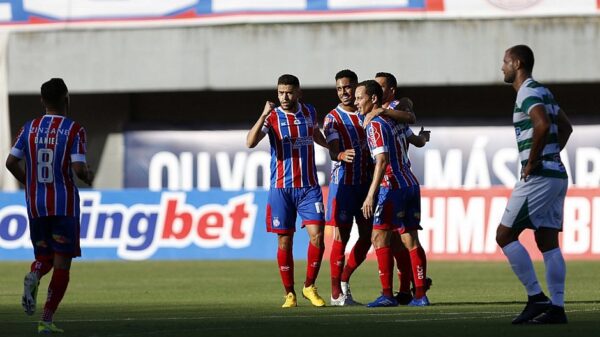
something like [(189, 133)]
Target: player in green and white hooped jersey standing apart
[(542, 130)]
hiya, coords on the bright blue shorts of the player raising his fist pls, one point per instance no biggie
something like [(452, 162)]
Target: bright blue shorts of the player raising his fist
[(285, 203)]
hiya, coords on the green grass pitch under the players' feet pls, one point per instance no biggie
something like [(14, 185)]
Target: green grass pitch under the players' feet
[(243, 298)]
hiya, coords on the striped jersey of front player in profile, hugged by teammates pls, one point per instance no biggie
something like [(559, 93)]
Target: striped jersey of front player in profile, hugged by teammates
[(387, 136)]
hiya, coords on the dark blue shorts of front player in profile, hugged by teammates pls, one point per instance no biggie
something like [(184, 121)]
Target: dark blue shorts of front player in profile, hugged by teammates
[(398, 209)]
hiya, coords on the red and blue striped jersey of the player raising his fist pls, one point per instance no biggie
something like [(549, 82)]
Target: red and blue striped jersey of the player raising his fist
[(292, 146)]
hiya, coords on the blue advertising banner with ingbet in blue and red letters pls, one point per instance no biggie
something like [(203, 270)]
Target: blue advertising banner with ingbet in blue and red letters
[(136, 224)]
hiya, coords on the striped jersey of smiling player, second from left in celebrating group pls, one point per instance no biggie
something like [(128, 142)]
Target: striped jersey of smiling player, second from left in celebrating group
[(346, 127)]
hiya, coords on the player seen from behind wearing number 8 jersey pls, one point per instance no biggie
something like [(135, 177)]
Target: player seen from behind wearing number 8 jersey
[(53, 147)]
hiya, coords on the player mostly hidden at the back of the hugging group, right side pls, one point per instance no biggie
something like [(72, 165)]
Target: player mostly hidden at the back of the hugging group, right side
[(408, 253)]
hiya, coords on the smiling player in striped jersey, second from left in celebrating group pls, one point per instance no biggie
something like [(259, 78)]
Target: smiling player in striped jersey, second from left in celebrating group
[(350, 177)]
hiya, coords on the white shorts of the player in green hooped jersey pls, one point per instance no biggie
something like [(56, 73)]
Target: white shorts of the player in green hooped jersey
[(536, 203)]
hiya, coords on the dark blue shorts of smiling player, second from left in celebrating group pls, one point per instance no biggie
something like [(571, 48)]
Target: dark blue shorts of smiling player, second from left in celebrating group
[(344, 204)]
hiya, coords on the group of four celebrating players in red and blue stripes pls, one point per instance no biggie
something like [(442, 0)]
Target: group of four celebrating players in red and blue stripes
[(368, 136)]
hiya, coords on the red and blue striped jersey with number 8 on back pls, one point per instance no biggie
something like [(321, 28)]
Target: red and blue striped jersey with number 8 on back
[(49, 144)]
